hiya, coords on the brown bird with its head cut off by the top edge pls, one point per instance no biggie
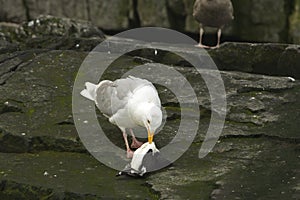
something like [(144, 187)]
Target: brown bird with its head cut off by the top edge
[(212, 13)]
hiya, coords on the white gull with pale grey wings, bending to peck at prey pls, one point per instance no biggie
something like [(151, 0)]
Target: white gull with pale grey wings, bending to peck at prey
[(127, 103)]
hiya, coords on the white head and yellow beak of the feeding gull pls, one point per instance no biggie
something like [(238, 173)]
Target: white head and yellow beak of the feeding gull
[(152, 119)]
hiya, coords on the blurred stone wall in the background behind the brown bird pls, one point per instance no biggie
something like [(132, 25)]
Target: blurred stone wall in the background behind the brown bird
[(255, 20)]
